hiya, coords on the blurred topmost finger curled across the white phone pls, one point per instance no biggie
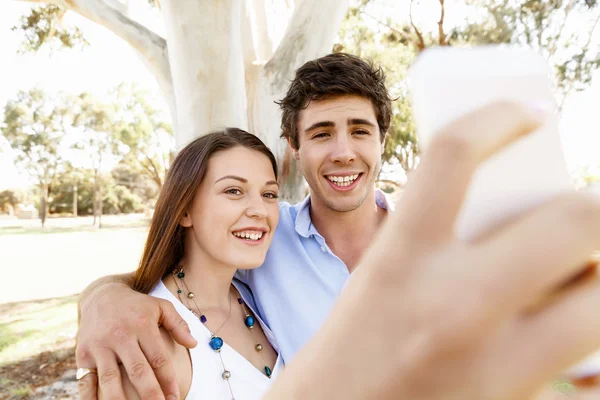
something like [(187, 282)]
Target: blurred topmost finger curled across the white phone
[(433, 197)]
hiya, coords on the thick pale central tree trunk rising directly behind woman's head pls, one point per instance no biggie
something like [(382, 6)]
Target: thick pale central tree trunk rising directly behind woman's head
[(206, 58)]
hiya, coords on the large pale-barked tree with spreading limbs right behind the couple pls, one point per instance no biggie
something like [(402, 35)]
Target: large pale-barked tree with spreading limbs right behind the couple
[(217, 67)]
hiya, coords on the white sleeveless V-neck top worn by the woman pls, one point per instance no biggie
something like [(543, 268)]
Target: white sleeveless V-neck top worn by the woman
[(247, 382)]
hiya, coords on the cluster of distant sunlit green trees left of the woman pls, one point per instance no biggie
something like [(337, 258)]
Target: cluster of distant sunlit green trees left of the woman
[(122, 129)]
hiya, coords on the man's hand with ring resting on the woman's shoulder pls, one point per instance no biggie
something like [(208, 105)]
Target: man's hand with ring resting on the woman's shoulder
[(121, 326)]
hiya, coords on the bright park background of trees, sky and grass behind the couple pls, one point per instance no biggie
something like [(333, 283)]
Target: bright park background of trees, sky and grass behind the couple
[(97, 95)]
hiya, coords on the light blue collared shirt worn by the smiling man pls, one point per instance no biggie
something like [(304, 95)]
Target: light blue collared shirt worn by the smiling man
[(300, 279)]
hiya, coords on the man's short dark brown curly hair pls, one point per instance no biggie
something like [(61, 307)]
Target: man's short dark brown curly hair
[(335, 75)]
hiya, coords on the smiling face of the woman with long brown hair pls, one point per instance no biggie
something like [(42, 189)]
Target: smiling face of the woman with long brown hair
[(234, 212)]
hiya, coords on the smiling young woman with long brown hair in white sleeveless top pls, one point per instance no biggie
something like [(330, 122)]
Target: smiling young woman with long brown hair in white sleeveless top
[(216, 213)]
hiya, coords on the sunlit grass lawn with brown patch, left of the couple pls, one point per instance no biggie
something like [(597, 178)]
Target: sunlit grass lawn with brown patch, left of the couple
[(43, 270)]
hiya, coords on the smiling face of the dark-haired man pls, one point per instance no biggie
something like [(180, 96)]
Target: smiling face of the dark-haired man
[(340, 151)]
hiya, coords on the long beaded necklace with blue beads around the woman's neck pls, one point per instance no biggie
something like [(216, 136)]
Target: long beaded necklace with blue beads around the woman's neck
[(216, 342)]
